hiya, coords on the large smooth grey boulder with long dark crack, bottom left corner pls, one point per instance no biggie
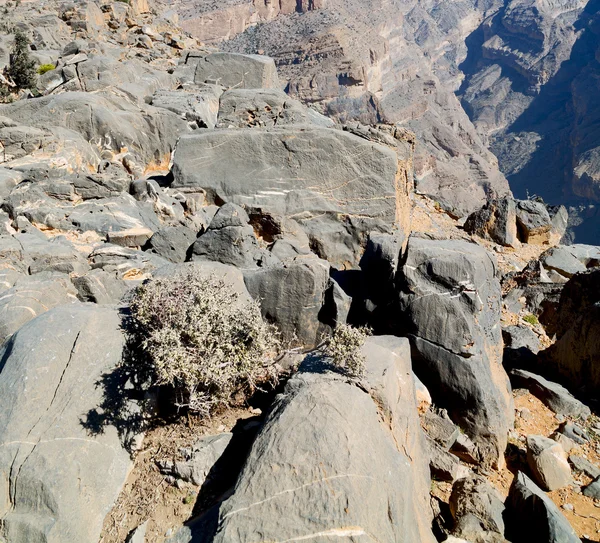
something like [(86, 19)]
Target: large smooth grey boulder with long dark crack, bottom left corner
[(49, 377)]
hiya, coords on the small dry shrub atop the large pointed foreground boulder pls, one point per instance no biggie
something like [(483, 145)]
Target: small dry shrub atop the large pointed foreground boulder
[(344, 349)]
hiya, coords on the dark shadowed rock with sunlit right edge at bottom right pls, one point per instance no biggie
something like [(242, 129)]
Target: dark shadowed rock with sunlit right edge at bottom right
[(531, 515)]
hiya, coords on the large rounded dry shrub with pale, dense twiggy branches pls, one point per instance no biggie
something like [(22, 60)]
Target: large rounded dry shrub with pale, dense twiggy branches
[(196, 334)]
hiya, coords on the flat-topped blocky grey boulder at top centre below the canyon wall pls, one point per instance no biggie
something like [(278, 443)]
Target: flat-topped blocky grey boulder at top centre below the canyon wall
[(232, 70)]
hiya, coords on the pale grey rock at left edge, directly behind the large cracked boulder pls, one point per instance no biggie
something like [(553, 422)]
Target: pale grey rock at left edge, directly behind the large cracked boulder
[(30, 297)]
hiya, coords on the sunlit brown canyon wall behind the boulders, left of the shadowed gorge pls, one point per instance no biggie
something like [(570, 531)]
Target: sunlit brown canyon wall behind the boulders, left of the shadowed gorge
[(387, 60)]
